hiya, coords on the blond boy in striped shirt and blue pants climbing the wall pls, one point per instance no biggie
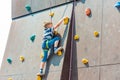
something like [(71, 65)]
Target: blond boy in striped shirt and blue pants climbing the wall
[(49, 40)]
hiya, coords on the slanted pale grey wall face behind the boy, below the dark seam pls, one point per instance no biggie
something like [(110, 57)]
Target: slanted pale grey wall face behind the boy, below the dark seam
[(19, 44)]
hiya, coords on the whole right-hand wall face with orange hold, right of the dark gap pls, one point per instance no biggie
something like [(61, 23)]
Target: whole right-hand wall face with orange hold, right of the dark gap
[(102, 52)]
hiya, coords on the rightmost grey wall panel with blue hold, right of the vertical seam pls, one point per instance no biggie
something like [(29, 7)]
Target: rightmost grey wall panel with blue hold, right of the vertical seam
[(110, 33)]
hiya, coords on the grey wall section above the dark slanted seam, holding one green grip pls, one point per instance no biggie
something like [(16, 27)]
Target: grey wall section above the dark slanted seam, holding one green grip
[(18, 6)]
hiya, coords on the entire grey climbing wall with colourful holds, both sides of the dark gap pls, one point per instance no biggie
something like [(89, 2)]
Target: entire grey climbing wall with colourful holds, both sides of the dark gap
[(95, 54)]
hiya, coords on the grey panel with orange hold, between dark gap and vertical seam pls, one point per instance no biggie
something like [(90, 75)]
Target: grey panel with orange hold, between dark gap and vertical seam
[(88, 46)]
